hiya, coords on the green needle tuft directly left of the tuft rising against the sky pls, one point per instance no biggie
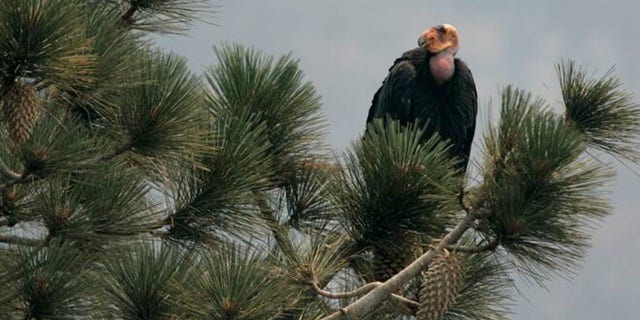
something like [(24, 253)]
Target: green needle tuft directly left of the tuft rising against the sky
[(160, 116)]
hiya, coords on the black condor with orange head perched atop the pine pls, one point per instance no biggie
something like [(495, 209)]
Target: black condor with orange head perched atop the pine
[(431, 87)]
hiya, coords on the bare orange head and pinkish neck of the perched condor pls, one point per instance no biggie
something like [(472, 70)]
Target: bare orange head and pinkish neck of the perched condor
[(443, 44)]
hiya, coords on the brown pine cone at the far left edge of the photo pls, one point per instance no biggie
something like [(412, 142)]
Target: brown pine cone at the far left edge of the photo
[(21, 110)]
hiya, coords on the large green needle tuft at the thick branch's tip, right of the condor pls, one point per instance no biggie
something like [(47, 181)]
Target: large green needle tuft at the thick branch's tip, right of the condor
[(540, 192)]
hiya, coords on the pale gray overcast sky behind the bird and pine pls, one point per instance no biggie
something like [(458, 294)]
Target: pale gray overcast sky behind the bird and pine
[(346, 46)]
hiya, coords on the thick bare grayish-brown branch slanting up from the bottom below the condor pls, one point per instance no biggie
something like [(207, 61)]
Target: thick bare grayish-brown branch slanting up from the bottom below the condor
[(376, 296)]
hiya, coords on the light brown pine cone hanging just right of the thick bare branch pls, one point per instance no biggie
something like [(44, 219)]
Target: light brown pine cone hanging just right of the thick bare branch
[(441, 284)]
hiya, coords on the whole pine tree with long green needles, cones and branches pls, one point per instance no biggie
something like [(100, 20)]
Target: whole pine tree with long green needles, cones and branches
[(131, 188)]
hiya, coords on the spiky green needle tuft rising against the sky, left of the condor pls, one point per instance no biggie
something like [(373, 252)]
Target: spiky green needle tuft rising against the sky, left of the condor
[(247, 82)]
